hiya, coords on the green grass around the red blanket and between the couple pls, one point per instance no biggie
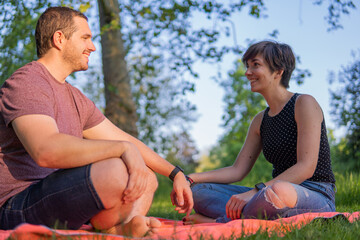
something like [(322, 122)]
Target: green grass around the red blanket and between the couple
[(347, 200)]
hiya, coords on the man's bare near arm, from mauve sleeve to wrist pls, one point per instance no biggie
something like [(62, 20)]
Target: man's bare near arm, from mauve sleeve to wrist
[(49, 148)]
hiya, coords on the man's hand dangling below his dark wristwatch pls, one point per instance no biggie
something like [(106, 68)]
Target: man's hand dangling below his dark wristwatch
[(181, 195)]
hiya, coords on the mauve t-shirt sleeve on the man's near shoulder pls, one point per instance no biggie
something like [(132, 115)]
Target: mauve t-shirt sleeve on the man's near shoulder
[(24, 94)]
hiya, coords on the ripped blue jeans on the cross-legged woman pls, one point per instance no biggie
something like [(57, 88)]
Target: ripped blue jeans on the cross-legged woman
[(210, 200)]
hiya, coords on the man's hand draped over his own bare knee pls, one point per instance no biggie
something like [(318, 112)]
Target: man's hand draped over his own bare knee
[(138, 173)]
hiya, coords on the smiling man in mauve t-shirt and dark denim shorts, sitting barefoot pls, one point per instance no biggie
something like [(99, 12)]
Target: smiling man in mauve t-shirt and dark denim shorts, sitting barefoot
[(62, 163)]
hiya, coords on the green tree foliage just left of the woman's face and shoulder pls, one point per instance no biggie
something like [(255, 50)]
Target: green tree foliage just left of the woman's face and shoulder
[(241, 105)]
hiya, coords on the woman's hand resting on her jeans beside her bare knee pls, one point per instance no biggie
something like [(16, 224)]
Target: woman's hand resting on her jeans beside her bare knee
[(237, 202)]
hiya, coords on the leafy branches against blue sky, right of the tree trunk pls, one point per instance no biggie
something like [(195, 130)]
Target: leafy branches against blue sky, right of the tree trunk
[(163, 42)]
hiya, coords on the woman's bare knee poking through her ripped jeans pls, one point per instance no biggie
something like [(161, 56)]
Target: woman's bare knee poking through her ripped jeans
[(281, 194)]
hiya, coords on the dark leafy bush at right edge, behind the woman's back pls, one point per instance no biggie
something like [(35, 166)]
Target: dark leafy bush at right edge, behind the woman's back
[(345, 109)]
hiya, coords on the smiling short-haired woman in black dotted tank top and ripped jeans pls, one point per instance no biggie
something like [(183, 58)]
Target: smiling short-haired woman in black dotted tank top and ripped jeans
[(291, 133)]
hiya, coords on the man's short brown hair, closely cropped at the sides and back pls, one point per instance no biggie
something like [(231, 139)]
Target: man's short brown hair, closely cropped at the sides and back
[(52, 20)]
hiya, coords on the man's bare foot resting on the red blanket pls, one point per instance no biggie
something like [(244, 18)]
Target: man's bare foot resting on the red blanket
[(138, 226)]
